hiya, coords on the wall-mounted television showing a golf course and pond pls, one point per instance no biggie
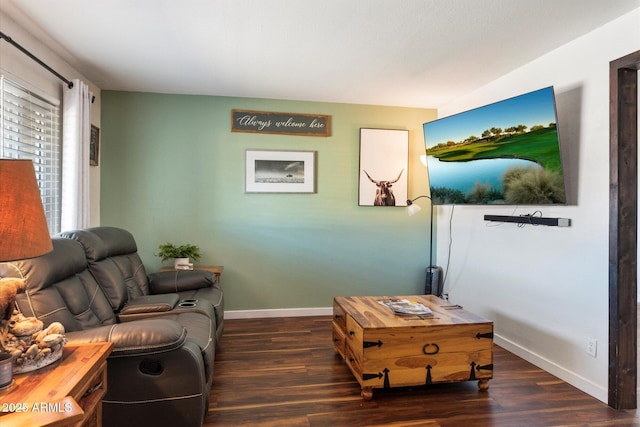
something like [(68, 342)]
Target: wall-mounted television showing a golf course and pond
[(503, 153)]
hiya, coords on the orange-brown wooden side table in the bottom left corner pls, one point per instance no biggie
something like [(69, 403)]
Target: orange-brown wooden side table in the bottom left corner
[(67, 392)]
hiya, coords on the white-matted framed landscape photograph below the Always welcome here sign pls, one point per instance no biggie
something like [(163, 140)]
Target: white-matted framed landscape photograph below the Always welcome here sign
[(271, 171)]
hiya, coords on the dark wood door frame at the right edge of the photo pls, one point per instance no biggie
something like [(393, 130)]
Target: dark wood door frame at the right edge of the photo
[(623, 202)]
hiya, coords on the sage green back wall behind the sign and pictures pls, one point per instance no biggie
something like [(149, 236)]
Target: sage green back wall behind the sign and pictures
[(171, 170)]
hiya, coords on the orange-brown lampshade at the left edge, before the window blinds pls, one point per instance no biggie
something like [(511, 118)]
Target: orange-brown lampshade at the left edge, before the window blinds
[(23, 225)]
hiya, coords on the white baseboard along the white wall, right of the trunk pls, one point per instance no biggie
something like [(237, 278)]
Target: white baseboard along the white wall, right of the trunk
[(564, 374)]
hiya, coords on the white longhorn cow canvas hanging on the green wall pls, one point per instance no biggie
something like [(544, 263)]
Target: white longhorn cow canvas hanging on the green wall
[(384, 155)]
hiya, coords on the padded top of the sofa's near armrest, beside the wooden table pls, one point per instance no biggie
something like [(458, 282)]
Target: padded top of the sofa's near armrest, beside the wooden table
[(147, 336)]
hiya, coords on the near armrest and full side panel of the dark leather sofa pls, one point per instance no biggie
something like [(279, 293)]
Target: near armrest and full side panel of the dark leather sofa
[(156, 375)]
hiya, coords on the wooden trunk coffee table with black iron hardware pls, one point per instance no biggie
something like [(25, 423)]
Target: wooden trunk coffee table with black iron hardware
[(386, 350)]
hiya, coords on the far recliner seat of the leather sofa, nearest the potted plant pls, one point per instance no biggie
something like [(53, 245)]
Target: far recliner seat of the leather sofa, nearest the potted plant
[(113, 259)]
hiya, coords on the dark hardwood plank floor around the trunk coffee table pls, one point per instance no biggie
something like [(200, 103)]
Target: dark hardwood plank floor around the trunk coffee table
[(283, 372)]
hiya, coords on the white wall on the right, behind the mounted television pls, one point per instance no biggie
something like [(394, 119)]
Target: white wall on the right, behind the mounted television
[(546, 288)]
